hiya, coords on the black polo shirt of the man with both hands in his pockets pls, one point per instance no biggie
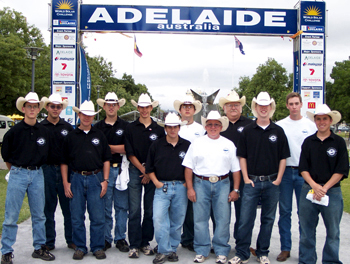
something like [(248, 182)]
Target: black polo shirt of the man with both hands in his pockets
[(263, 148)]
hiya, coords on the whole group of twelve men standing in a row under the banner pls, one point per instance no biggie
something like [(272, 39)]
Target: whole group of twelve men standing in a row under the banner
[(169, 181)]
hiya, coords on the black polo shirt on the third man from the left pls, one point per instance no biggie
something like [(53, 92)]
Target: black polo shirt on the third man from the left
[(86, 152)]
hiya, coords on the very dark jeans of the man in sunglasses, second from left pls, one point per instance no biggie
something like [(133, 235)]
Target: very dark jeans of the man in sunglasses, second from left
[(54, 192)]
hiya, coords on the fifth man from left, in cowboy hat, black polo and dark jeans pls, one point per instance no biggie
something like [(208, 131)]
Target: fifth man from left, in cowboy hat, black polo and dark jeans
[(139, 135)]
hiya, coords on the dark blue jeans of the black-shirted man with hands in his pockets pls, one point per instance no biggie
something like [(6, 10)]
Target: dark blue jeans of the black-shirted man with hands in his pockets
[(269, 197)]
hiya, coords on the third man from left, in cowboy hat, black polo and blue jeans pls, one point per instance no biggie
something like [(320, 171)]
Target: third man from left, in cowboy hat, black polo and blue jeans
[(87, 153)]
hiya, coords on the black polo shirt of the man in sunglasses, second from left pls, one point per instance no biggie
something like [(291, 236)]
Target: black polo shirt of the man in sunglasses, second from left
[(58, 132)]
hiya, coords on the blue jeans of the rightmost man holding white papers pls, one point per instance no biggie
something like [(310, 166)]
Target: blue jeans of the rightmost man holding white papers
[(308, 216)]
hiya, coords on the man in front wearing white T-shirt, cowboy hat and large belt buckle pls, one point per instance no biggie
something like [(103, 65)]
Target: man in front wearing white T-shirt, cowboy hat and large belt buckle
[(210, 158)]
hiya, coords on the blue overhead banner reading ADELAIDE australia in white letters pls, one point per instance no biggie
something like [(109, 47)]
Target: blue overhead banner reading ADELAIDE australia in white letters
[(208, 20)]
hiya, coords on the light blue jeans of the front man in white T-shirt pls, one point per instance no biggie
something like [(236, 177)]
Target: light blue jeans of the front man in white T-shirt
[(211, 195)]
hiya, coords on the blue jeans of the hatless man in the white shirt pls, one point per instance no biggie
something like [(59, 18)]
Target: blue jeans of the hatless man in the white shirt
[(290, 181)]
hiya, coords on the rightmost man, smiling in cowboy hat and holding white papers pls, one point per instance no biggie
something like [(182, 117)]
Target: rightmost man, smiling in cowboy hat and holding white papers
[(324, 162)]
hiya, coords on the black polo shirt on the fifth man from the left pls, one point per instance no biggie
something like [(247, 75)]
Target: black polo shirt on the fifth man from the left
[(138, 138)]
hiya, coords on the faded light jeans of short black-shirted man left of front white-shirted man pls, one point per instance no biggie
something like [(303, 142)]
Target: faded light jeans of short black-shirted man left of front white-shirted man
[(169, 210)]
